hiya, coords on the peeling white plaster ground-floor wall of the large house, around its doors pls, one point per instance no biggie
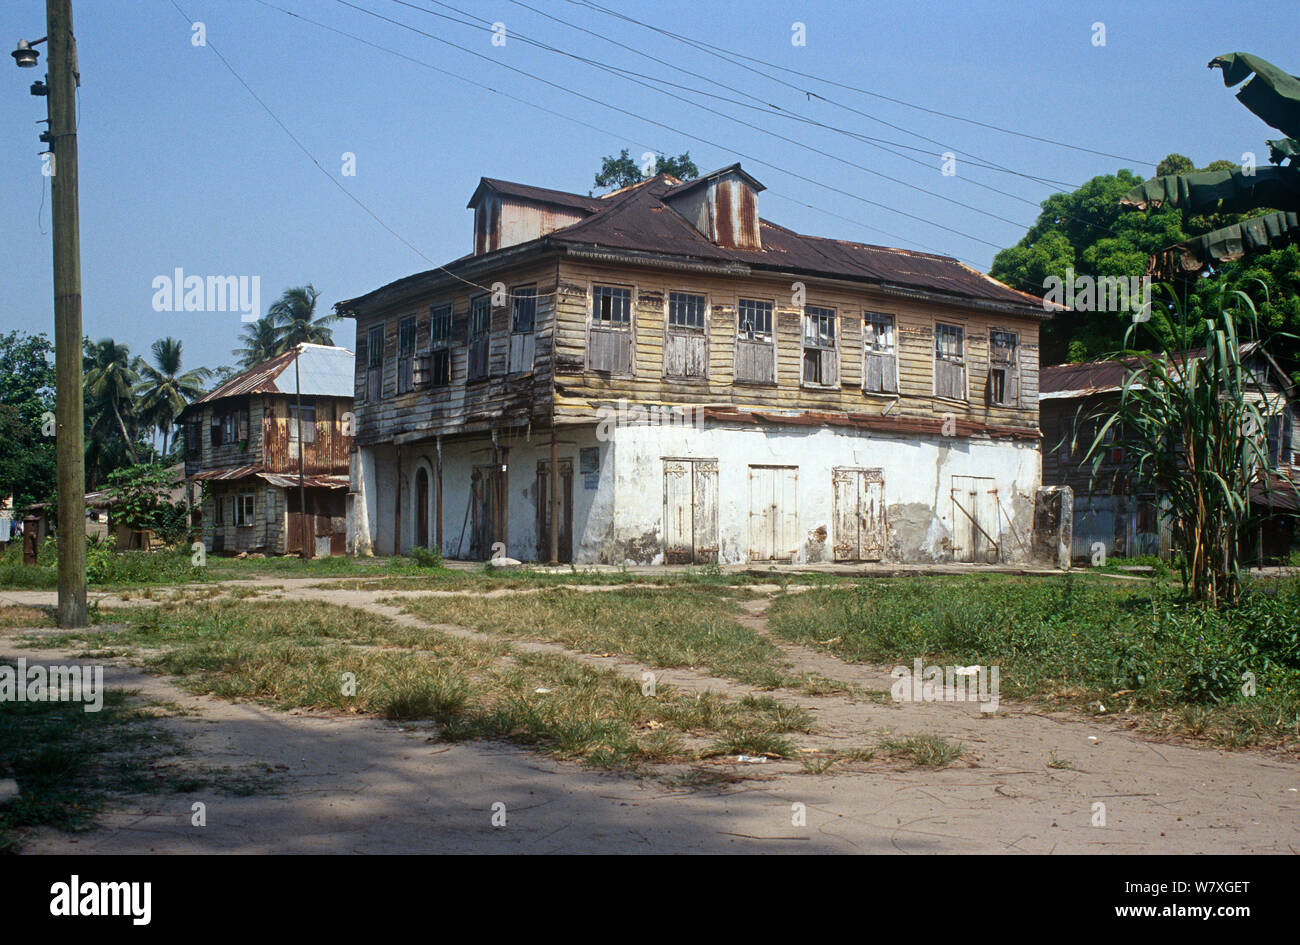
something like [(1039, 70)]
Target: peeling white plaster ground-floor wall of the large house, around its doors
[(621, 519)]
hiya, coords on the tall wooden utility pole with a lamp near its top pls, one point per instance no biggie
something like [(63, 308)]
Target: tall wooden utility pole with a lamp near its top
[(70, 444)]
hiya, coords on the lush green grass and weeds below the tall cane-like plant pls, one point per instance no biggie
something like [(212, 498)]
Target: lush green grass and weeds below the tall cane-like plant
[(1102, 645)]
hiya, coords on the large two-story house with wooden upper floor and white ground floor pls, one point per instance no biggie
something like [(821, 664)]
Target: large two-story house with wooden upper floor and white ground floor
[(673, 379)]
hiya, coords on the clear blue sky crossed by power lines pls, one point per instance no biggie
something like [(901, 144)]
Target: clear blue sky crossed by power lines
[(183, 168)]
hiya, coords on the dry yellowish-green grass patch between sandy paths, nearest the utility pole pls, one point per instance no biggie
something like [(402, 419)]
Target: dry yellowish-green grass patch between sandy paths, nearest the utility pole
[(328, 658)]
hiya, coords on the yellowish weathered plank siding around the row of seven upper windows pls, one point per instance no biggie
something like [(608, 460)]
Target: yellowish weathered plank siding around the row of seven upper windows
[(915, 339)]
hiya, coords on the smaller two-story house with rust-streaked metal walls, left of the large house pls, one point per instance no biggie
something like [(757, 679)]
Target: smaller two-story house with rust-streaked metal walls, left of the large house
[(267, 488)]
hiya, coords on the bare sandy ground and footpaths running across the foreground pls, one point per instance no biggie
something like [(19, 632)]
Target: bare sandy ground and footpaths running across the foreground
[(361, 786)]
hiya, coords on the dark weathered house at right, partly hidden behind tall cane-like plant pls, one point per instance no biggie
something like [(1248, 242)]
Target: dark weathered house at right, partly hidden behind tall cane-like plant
[(1108, 508)]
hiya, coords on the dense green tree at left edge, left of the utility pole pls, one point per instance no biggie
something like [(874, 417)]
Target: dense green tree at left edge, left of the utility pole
[(27, 405)]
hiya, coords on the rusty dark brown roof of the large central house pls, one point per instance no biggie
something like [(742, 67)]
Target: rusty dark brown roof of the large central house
[(639, 220)]
